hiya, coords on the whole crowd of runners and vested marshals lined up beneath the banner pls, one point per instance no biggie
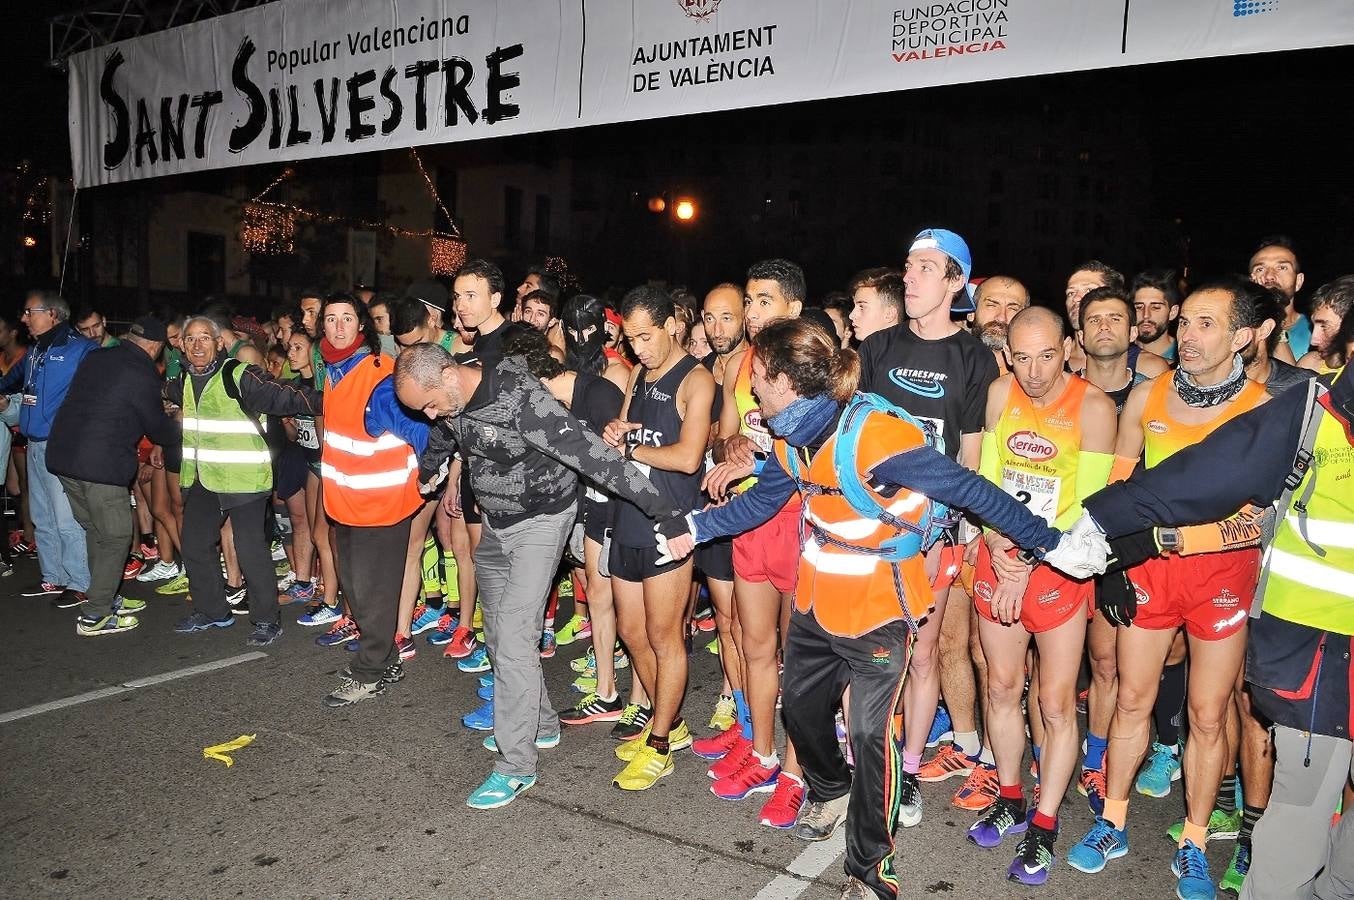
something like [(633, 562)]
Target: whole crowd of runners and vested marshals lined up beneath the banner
[(911, 518)]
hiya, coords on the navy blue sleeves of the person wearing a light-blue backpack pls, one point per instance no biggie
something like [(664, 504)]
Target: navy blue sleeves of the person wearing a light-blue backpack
[(924, 470)]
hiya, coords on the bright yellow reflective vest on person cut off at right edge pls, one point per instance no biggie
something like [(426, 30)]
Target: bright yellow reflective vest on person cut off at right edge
[(1311, 580)]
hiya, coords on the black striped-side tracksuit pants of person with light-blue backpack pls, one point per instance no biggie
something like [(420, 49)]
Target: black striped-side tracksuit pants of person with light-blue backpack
[(818, 669)]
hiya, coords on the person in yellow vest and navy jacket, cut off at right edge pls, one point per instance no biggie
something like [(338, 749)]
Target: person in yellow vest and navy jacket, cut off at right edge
[(1301, 453)]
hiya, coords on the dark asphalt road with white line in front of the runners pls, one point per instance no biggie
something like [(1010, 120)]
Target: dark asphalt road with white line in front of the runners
[(113, 798)]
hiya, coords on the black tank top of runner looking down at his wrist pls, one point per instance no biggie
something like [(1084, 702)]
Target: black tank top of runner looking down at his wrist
[(655, 407)]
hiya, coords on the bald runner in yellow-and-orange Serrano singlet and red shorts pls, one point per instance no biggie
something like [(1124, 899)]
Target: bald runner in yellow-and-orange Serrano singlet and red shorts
[(1050, 443)]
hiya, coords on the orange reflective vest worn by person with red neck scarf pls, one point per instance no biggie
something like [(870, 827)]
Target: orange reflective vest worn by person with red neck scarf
[(368, 481)]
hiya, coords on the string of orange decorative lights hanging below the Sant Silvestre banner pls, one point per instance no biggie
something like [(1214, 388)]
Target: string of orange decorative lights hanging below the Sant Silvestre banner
[(270, 227)]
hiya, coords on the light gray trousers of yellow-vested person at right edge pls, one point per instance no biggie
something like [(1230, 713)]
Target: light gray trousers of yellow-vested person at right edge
[(1298, 856)]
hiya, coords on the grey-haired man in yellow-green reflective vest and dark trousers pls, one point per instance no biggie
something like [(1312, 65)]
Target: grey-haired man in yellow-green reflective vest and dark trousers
[(228, 474)]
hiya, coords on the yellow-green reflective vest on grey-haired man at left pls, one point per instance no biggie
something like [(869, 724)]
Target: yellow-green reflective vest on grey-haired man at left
[(221, 443)]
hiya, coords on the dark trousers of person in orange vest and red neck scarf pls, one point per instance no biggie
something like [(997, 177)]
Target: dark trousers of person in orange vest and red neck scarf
[(372, 570)]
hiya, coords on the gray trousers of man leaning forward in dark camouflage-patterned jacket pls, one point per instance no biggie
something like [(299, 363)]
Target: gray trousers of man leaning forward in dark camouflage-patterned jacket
[(515, 568)]
